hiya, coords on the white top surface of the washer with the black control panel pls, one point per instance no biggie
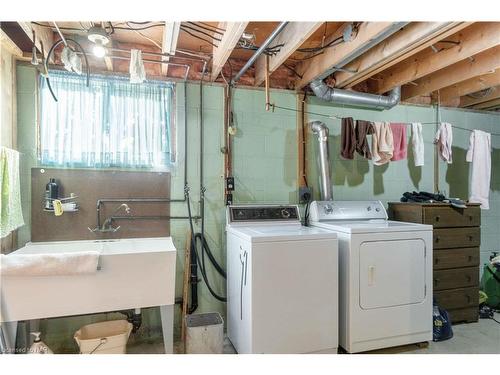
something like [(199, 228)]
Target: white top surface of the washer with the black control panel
[(269, 233)]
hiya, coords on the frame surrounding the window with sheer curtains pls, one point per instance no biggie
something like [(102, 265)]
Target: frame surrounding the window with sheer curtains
[(167, 166)]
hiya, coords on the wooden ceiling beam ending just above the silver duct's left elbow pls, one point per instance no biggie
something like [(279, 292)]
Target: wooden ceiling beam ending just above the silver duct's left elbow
[(320, 66)]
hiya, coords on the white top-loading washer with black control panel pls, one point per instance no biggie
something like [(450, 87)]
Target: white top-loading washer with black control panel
[(282, 290)]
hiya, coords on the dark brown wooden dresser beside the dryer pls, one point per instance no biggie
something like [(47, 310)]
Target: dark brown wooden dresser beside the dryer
[(457, 236)]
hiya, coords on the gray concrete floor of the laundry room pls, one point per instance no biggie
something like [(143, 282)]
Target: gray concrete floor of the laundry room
[(482, 337)]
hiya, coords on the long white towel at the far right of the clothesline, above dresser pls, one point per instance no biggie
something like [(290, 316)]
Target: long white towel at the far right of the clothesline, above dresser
[(479, 154)]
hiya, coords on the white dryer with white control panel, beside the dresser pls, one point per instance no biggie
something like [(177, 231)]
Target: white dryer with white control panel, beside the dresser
[(385, 275)]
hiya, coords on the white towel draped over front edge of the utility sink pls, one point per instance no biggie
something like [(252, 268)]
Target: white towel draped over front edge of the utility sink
[(59, 264)]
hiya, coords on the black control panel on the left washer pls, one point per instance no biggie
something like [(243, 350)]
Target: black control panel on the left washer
[(263, 213)]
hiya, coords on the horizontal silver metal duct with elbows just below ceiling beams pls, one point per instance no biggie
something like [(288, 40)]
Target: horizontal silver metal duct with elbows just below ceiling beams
[(357, 99)]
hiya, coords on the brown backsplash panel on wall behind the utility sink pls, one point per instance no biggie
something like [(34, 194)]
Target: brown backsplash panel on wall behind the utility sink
[(89, 186)]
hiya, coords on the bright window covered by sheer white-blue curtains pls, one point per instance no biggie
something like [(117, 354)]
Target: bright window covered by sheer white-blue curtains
[(111, 123)]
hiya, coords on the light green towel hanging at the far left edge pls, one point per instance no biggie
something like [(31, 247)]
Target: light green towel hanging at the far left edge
[(11, 216)]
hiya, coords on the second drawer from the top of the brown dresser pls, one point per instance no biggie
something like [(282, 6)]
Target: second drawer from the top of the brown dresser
[(456, 237)]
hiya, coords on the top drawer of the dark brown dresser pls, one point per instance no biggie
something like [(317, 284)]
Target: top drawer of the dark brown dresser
[(446, 217)]
